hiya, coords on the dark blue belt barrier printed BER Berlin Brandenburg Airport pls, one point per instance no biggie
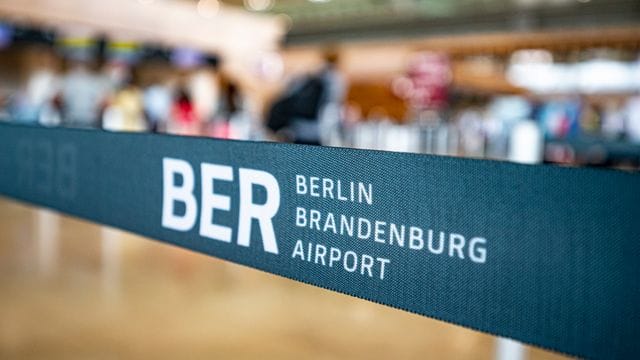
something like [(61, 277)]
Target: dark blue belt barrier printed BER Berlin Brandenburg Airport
[(546, 255)]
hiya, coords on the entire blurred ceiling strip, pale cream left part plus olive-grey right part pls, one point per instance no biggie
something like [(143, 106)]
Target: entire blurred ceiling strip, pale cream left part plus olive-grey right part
[(241, 26)]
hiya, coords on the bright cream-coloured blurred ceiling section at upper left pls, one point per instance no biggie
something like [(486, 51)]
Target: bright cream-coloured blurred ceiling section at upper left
[(207, 26)]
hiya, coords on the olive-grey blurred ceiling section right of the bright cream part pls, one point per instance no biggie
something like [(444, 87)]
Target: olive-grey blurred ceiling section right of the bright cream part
[(315, 21)]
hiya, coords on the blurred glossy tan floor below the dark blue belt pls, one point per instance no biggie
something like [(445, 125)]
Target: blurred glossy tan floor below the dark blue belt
[(70, 289)]
